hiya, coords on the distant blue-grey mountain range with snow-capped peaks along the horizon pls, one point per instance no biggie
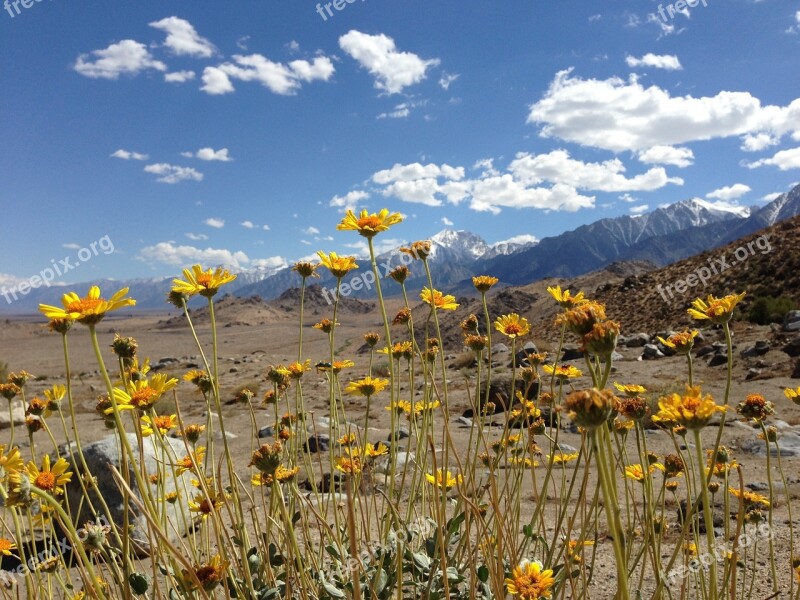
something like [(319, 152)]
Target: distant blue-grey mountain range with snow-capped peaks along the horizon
[(660, 237)]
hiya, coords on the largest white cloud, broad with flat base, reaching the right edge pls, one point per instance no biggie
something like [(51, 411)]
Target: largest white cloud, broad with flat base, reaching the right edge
[(620, 115)]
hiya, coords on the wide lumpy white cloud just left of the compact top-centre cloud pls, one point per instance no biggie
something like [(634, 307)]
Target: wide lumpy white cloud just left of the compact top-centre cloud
[(277, 77)]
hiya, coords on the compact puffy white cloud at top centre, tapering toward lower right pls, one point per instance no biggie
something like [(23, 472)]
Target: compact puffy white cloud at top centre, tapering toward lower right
[(393, 70)]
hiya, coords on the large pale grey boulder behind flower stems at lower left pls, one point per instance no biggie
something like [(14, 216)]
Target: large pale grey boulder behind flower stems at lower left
[(103, 454)]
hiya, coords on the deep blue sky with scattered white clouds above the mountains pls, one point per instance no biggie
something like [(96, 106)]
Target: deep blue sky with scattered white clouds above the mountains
[(238, 132)]
